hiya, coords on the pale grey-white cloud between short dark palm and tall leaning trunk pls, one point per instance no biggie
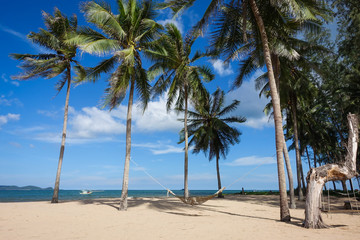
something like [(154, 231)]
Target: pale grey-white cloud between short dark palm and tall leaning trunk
[(251, 106)]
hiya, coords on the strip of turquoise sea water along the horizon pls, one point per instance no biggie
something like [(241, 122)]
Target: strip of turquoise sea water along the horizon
[(46, 195)]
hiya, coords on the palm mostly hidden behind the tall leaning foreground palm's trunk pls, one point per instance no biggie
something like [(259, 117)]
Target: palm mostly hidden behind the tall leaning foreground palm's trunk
[(284, 46)]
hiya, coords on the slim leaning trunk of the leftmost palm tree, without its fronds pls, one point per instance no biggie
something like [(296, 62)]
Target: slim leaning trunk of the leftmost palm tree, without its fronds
[(55, 197)]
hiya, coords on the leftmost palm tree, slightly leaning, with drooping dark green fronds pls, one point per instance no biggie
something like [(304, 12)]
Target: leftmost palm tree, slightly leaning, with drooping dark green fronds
[(49, 65)]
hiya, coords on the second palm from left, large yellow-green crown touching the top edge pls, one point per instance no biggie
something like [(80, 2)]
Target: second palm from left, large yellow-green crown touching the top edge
[(124, 36)]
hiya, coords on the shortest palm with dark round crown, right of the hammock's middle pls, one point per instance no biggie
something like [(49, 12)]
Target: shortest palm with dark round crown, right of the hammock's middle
[(208, 126)]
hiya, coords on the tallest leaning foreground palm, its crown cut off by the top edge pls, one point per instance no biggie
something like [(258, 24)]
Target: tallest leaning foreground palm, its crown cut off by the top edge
[(290, 9)]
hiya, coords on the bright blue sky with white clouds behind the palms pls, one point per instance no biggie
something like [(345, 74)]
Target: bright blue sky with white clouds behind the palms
[(31, 116)]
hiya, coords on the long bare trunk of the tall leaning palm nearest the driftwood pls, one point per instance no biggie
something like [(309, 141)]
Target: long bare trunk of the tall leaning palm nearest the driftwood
[(284, 207)]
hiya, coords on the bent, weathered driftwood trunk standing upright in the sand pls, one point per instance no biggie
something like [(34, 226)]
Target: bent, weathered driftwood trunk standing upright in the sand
[(317, 177)]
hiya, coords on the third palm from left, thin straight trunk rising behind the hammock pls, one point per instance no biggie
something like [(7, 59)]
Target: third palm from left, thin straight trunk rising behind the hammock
[(179, 76)]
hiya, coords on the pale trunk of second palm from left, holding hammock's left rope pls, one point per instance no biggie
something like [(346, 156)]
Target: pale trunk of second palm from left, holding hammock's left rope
[(124, 192)]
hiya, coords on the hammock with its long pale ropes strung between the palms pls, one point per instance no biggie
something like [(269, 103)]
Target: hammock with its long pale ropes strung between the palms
[(195, 200)]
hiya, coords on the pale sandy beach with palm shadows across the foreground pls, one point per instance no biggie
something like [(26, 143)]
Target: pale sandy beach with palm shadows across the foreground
[(235, 217)]
